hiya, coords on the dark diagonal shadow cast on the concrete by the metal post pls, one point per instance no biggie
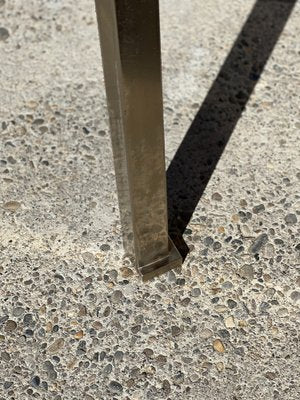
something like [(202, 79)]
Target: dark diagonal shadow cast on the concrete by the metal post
[(205, 141)]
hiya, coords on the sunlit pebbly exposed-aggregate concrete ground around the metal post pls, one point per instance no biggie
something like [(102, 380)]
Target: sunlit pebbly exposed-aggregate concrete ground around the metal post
[(76, 322)]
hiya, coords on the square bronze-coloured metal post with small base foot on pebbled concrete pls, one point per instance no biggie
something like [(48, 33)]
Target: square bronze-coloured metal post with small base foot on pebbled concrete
[(130, 46)]
